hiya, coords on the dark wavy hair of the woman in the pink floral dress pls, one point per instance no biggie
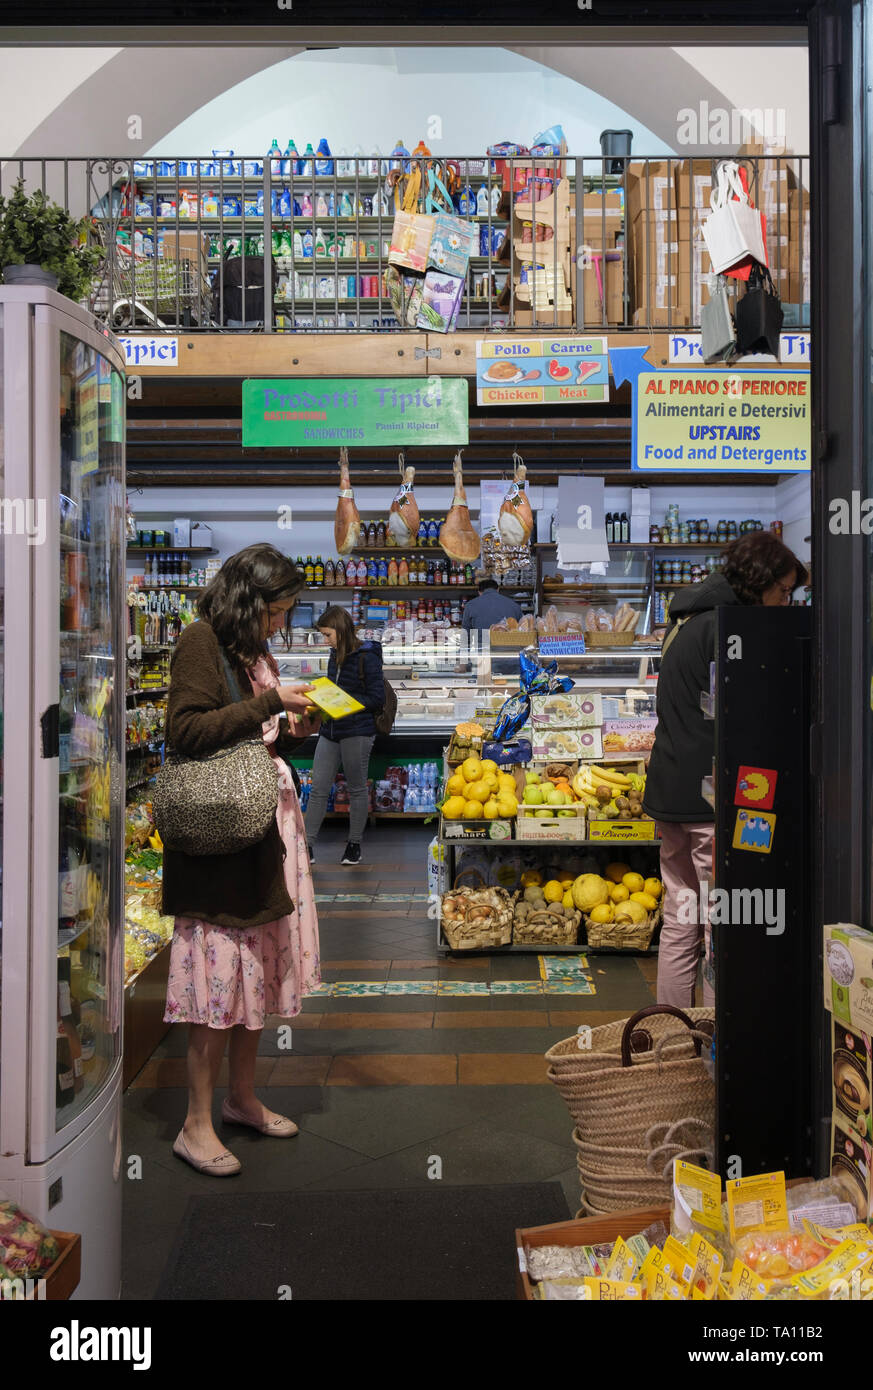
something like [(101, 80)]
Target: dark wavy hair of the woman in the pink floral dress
[(238, 598)]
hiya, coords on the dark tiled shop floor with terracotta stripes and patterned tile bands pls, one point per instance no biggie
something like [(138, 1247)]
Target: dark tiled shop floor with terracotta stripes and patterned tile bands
[(401, 1056)]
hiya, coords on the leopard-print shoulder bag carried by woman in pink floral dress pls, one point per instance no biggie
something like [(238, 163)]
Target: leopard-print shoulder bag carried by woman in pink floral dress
[(219, 804)]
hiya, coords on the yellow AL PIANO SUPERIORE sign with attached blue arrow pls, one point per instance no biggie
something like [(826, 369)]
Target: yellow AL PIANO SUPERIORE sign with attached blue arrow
[(719, 420)]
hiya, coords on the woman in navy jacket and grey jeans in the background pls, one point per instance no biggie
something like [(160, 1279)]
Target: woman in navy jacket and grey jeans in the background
[(358, 669)]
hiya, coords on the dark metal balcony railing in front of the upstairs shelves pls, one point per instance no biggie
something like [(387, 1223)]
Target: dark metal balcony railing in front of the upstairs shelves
[(263, 244)]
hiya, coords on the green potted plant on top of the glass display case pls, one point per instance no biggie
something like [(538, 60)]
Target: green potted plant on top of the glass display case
[(40, 244)]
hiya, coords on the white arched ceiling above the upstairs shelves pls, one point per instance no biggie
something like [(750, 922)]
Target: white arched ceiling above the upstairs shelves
[(65, 102)]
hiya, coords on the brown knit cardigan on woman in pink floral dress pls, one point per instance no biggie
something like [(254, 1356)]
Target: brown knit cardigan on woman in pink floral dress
[(247, 889)]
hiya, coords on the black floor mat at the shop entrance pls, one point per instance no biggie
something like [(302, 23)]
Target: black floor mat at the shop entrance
[(422, 1245)]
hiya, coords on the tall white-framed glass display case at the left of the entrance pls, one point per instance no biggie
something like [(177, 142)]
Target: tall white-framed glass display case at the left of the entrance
[(63, 418)]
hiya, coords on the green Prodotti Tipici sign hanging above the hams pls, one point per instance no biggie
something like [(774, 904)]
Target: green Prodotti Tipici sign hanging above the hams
[(364, 412)]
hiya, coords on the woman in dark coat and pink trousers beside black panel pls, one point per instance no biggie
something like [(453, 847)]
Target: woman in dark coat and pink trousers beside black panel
[(758, 569)]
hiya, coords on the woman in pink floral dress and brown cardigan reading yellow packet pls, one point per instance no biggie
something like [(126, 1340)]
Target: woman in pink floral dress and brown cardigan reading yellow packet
[(247, 935)]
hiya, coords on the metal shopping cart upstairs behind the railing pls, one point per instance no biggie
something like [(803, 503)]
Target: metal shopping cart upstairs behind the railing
[(137, 287)]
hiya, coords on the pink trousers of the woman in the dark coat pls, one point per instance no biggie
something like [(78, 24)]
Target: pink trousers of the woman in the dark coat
[(686, 862)]
